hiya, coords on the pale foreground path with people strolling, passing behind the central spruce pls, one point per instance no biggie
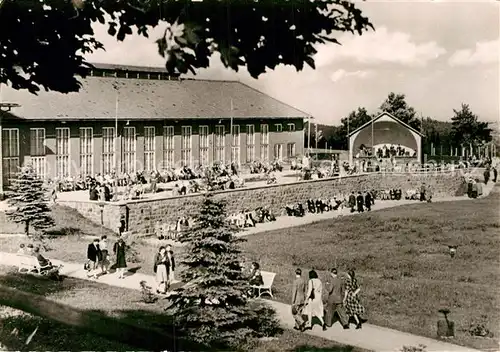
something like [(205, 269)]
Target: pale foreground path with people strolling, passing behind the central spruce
[(371, 337)]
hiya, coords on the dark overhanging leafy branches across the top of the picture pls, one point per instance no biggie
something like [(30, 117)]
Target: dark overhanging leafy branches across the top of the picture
[(43, 37)]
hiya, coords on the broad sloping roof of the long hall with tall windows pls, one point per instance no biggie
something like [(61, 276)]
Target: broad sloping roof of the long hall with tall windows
[(154, 99)]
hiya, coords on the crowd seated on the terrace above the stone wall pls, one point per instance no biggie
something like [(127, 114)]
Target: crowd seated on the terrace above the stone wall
[(185, 180)]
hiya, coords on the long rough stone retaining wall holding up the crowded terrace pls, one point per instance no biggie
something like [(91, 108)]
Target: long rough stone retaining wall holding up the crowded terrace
[(142, 215)]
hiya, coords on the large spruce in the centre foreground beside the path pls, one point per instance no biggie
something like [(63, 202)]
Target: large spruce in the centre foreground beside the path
[(212, 308)]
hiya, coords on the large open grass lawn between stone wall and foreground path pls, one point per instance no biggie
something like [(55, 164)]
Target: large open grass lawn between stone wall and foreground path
[(401, 258)]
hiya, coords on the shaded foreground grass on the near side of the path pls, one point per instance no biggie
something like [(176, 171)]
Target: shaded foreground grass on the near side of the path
[(122, 304)]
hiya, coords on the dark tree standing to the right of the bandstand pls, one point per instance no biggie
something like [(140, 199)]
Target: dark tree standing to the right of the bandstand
[(467, 129)]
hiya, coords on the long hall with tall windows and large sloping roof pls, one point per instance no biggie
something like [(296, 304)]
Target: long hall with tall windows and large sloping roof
[(131, 119)]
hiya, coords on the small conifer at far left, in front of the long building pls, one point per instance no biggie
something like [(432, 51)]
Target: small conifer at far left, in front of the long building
[(29, 201)]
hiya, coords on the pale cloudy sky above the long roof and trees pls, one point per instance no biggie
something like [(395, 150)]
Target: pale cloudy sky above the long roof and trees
[(439, 54)]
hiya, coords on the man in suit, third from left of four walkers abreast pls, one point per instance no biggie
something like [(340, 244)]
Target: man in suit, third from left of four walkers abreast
[(336, 296)]
